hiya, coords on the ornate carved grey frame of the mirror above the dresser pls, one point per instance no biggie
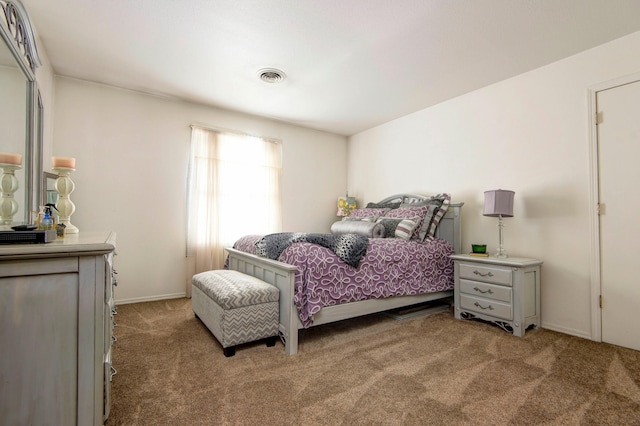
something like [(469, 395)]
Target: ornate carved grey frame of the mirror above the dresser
[(17, 33)]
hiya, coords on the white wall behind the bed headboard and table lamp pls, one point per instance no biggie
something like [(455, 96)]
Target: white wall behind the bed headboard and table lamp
[(529, 134)]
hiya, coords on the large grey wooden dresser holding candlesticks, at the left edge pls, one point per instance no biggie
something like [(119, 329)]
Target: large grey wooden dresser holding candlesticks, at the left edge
[(56, 330)]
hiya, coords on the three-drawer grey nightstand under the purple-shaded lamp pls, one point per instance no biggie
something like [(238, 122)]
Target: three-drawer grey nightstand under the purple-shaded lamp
[(505, 292)]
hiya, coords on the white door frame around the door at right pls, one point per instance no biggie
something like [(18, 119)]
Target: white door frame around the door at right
[(594, 198)]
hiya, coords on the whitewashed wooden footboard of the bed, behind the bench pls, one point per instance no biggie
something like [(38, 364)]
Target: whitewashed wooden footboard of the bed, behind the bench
[(280, 275)]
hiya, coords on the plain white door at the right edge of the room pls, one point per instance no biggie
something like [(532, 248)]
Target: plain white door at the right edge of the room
[(619, 197)]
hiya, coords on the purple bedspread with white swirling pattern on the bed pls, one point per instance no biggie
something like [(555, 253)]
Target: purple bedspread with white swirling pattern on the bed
[(391, 267)]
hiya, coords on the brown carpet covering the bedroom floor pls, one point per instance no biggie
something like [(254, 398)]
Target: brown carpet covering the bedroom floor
[(373, 370)]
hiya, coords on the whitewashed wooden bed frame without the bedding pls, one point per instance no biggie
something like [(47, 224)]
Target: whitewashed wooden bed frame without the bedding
[(282, 275)]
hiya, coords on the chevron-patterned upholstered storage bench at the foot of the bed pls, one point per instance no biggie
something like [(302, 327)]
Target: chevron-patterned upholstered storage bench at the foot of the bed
[(235, 307)]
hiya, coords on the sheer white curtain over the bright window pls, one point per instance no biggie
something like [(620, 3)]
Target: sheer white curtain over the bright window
[(233, 190)]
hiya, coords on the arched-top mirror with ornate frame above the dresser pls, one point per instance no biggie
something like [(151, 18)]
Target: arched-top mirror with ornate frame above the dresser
[(20, 106)]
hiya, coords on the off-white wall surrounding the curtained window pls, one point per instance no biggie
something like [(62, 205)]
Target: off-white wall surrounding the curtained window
[(132, 153)]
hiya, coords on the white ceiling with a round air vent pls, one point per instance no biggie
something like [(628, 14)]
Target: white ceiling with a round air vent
[(351, 64)]
